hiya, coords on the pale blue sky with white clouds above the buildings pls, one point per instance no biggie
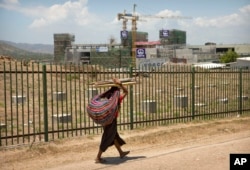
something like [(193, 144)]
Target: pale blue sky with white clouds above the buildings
[(95, 21)]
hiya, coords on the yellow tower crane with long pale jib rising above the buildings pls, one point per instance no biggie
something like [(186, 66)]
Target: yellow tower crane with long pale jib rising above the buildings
[(134, 18)]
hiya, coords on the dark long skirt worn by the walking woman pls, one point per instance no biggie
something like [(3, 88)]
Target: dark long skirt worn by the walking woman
[(109, 135)]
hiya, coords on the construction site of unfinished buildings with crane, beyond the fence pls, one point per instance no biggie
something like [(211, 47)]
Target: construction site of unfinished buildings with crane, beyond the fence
[(136, 50)]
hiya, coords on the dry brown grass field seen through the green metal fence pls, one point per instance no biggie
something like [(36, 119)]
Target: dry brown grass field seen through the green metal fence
[(159, 85)]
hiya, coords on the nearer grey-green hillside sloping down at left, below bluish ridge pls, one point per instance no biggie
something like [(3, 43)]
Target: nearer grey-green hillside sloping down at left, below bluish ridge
[(10, 50)]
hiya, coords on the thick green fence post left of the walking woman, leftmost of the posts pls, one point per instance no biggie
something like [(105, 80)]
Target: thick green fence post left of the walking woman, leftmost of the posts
[(45, 105)]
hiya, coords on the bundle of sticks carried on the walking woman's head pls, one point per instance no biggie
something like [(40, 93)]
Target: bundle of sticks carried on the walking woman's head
[(109, 83)]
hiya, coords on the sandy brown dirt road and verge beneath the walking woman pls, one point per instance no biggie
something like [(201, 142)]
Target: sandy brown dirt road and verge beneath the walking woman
[(202, 145)]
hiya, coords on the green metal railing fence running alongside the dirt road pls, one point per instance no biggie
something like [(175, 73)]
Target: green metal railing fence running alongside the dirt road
[(48, 102)]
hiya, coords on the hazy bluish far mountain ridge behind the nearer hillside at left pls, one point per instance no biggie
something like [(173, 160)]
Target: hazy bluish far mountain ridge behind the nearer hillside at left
[(37, 48)]
